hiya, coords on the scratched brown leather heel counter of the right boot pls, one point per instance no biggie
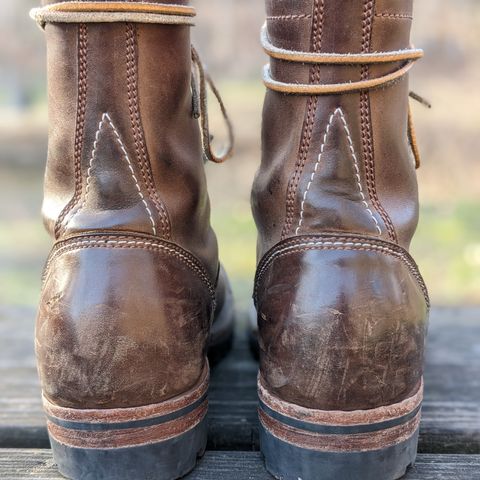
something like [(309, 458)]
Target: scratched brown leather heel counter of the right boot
[(346, 332)]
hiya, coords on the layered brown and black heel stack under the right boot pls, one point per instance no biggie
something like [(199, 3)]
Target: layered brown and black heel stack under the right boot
[(305, 444)]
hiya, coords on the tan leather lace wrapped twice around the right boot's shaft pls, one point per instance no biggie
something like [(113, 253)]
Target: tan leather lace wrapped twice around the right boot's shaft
[(407, 57)]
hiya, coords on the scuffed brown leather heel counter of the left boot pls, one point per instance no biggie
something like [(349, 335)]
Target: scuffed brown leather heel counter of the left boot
[(123, 321)]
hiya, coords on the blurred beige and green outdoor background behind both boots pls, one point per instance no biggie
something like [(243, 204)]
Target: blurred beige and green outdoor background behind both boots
[(447, 245)]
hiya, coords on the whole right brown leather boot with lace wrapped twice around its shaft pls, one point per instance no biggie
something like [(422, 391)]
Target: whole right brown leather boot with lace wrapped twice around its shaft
[(342, 308)]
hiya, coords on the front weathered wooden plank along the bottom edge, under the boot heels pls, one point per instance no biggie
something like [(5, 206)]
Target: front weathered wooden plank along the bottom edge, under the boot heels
[(38, 464)]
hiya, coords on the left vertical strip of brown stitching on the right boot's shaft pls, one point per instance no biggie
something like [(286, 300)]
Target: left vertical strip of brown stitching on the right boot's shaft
[(317, 34)]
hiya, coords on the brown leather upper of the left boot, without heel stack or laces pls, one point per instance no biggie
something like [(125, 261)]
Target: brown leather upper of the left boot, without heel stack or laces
[(132, 283)]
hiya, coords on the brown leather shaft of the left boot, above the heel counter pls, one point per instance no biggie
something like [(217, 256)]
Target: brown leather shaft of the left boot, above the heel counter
[(125, 152)]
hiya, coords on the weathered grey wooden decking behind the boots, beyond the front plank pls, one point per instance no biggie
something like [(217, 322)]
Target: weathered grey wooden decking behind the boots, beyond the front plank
[(451, 414)]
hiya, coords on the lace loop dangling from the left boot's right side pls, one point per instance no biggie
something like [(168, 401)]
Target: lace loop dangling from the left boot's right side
[(201, 80)]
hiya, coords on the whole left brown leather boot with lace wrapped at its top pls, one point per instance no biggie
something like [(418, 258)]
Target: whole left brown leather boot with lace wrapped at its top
[(133, 281)]
